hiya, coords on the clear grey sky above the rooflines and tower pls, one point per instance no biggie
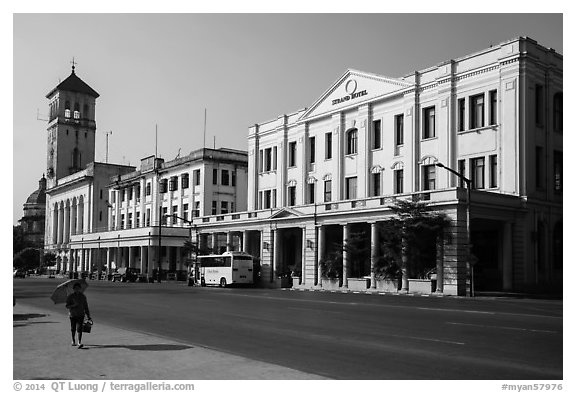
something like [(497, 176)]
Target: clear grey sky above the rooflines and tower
[(166, 69)]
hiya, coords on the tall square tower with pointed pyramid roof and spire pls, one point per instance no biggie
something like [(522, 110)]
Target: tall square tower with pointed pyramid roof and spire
[(71, 128)]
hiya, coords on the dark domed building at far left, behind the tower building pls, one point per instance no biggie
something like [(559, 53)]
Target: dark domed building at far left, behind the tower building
[(33, 221)]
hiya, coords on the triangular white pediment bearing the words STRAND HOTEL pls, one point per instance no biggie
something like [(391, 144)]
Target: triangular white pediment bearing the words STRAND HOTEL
[(353, 88)]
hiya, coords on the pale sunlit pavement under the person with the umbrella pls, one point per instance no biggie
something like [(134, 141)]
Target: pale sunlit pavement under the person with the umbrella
[(42, 350)]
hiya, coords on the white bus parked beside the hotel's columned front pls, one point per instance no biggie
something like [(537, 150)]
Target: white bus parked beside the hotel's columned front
[(232, 267)]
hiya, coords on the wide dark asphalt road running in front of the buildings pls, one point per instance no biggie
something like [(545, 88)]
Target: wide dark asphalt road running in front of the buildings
[(341, 336)]
